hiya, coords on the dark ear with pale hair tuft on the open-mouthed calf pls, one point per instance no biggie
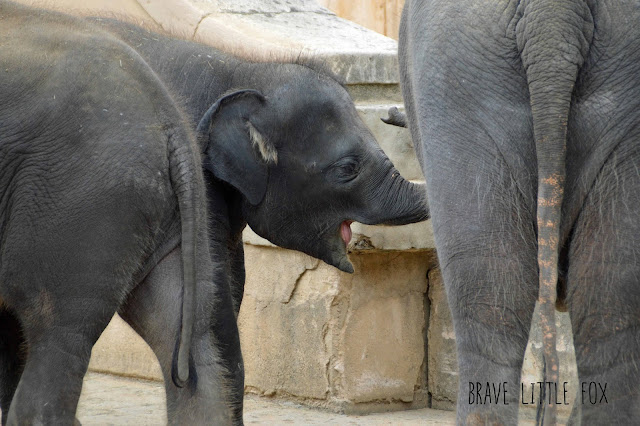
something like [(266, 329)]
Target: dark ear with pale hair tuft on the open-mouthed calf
[(235, 150)]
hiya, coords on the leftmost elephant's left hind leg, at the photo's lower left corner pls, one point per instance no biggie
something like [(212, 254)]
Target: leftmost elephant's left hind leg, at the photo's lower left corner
[(63, 290)]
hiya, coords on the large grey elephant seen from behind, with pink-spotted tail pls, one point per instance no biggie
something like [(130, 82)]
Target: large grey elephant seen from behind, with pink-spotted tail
[(525, 116)]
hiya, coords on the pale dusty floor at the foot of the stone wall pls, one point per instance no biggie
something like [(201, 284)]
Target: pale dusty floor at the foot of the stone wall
[(111, 400)]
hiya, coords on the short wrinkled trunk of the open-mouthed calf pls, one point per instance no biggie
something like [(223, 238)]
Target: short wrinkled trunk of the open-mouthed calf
[(396, 201)]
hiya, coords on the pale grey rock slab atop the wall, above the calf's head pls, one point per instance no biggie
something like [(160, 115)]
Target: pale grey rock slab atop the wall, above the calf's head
[(357, 54)]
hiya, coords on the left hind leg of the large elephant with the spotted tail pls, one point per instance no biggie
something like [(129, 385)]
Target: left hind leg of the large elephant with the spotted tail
[(473, 122)]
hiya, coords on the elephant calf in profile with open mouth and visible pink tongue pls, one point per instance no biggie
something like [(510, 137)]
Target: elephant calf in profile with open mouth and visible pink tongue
[(285, 152)]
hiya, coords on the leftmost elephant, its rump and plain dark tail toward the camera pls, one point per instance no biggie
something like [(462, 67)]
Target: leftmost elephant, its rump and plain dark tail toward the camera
[(100, 181)]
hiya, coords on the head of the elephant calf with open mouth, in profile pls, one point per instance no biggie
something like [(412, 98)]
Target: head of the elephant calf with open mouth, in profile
[(306, 165)]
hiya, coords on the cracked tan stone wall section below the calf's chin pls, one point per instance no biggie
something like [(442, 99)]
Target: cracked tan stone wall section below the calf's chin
[(311, 332)]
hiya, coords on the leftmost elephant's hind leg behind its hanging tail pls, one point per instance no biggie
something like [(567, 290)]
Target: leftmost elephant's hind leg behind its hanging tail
[(215, 391)]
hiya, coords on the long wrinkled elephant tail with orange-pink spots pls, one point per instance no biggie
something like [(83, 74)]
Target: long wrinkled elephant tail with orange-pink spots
[(553, 37)]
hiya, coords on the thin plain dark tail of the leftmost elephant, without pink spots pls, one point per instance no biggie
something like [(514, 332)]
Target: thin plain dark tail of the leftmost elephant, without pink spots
[(184, 173)]
